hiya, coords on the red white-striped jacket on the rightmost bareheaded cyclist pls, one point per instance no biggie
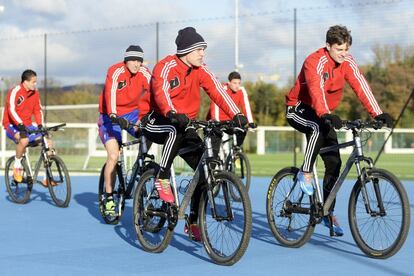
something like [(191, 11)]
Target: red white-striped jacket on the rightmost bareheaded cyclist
[(321, 81)]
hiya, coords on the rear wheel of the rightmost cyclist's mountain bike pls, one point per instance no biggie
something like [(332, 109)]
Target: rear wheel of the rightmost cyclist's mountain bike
[(290, 228)]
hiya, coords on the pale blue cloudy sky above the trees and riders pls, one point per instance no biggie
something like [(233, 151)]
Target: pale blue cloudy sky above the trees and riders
[(266, 37)]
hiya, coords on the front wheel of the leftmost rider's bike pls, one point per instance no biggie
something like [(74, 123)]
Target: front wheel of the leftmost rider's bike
[(59, 182)]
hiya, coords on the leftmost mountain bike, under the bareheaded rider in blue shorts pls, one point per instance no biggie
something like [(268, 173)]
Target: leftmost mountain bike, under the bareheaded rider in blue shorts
[(56, 174)]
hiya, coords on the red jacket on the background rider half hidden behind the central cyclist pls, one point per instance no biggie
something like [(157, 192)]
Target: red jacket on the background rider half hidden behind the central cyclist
[(239, 97)]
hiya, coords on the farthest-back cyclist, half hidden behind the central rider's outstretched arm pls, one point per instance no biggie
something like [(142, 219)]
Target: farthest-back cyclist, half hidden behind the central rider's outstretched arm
[(241, 99)]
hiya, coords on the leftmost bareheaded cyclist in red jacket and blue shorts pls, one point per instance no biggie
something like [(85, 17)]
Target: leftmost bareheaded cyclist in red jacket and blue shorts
[(23, 103)]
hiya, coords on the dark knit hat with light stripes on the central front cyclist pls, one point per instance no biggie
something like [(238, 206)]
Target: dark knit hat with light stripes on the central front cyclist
[(188, 40)]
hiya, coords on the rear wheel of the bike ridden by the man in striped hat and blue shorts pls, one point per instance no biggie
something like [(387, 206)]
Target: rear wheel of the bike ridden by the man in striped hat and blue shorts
[(118, 196)]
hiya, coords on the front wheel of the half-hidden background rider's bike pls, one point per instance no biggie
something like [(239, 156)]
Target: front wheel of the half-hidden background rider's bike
[(239, 165)]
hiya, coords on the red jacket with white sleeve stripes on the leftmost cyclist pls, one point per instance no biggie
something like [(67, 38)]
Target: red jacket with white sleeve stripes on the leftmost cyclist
[(21, 105)]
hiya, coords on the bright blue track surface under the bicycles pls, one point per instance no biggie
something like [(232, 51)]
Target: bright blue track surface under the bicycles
[(40, 239)]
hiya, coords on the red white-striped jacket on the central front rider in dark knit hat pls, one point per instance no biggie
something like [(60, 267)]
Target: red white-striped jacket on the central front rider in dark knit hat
[(175, 86)]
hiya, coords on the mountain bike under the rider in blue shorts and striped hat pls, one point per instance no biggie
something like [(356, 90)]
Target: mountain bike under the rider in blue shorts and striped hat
[(123, 180)]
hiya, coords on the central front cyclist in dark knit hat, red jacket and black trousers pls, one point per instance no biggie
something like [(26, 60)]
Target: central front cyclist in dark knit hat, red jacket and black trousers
[(175, 98)]
